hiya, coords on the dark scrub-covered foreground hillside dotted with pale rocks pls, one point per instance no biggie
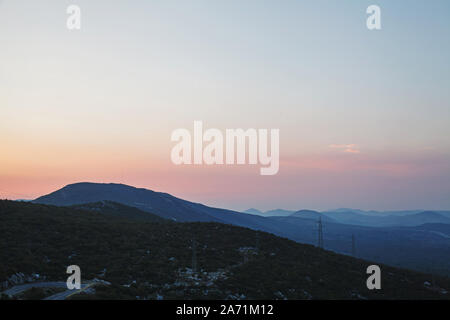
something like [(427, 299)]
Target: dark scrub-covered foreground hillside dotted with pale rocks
[(150, 259)]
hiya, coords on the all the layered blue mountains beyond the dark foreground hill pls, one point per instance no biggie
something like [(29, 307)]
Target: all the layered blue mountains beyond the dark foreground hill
[(413, 239)]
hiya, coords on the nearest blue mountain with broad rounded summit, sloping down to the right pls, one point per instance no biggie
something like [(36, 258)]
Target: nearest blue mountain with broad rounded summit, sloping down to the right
[(158, 203)]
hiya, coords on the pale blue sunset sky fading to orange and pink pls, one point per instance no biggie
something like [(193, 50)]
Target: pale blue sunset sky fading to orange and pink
[(364, 116)]
